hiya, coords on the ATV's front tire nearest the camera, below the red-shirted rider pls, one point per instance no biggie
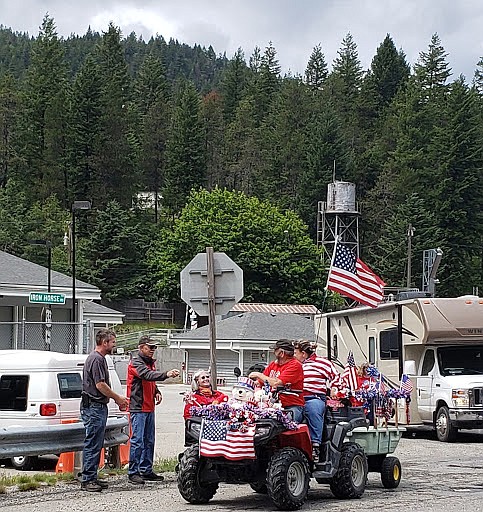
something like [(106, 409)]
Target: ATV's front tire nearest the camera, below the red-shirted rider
[(288, 479)]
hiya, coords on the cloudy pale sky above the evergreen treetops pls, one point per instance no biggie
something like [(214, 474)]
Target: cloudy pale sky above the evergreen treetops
[(294, 26)]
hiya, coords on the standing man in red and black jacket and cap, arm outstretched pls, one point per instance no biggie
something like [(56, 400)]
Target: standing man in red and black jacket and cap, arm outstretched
[(143, 395)]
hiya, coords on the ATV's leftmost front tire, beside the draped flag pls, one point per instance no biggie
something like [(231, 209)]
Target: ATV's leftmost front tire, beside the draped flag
[(190, 485)]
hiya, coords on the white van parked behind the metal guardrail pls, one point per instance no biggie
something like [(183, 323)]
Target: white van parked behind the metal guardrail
[(39, 388)]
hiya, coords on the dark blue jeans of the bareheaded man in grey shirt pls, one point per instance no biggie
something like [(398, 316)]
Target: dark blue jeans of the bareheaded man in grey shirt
[(95, 418)]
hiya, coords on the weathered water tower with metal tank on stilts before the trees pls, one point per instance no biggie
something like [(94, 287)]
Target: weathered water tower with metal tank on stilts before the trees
[(339, 216)]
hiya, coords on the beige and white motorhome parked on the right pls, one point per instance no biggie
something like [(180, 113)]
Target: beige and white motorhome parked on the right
[(437, 342)]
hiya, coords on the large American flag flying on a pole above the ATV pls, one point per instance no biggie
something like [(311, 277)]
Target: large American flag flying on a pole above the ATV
[(352, 278)]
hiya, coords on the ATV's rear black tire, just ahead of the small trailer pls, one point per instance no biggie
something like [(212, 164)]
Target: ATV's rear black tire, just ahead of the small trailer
[(350, 479)]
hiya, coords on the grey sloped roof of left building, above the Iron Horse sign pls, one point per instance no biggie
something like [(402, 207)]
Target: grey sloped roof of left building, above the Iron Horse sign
[(19, 276)]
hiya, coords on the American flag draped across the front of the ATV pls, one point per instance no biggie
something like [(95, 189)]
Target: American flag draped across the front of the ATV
[(217, 440)]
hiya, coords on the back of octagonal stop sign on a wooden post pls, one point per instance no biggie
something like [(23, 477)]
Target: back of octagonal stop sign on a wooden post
[(211, 284)]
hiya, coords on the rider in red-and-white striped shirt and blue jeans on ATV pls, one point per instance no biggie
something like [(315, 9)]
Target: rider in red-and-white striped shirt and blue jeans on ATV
[(320, 377)]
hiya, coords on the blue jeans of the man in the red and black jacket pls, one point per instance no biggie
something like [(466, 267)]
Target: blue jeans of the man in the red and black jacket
[(141, 453)]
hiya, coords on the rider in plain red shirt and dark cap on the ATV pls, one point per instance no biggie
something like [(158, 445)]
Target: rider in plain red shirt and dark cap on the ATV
[(283, 371)]
